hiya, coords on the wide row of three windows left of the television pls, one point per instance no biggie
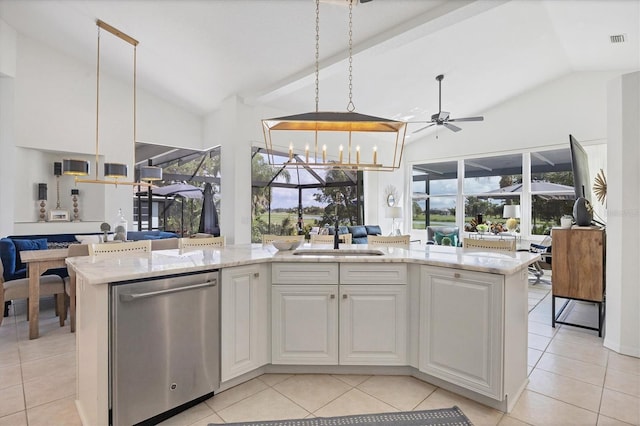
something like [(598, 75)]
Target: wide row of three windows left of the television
[(482, 186)]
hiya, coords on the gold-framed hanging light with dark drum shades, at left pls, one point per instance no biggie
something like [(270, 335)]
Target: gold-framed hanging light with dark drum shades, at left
[(113, 172)]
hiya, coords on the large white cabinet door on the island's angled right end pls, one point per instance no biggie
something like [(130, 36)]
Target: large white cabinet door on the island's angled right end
[(461, 330)]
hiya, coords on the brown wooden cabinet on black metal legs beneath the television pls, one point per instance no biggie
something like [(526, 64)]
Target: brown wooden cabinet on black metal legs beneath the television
[(578, 265)]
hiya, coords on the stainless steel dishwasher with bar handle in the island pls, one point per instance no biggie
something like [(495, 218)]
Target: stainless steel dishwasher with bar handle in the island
[(165, 346)]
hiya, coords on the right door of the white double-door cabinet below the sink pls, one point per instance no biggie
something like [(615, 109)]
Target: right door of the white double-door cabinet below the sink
[(373, 324)]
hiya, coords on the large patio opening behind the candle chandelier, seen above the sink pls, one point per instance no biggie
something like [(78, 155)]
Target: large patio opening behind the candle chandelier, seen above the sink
[(300, 200)]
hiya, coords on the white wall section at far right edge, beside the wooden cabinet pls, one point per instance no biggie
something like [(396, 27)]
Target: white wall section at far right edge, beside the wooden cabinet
[(623, 233)]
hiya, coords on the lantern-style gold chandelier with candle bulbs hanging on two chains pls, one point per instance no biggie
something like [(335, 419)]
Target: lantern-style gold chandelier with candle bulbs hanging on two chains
[(334, 139)]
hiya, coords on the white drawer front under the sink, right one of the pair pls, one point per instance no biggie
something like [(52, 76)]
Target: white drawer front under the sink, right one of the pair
[(373, 273)]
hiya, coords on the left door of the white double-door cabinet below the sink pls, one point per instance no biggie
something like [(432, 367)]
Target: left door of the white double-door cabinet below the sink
[(304, 324)]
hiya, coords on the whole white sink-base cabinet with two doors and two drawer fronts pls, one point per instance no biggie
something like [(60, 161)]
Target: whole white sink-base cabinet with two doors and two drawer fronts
[(320, 307)]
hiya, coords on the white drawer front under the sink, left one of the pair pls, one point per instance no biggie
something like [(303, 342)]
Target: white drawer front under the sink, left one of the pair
[(304, 273)]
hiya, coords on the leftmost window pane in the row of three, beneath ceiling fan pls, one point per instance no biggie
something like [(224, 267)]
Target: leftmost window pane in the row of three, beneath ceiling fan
[(434, 194)]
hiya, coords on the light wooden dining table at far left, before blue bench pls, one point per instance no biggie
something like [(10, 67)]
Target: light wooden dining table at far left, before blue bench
[(38, 262)]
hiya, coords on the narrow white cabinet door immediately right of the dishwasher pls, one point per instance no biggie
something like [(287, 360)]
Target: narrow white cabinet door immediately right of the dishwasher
[(244, 319)]
